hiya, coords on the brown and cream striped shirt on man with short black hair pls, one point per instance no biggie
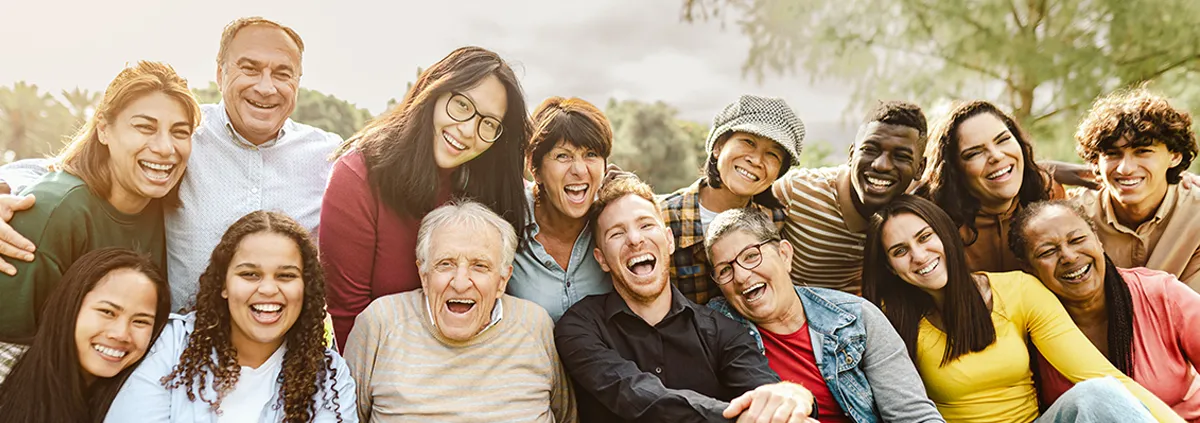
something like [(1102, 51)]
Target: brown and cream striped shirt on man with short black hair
[(825, 228)]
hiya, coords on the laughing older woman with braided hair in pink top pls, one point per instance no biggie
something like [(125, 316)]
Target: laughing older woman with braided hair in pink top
[(1147, 323)]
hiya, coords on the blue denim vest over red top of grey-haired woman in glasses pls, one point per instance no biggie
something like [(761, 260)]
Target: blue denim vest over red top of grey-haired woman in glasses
[(839, 341)]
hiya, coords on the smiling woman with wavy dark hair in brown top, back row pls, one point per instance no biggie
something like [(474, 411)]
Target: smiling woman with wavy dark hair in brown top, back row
[(982, 174)]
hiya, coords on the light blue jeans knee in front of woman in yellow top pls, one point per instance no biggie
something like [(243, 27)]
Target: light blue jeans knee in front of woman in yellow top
[(1097, 401)]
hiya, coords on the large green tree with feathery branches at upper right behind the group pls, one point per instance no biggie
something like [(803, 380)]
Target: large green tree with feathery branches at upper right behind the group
[(1046, 61)]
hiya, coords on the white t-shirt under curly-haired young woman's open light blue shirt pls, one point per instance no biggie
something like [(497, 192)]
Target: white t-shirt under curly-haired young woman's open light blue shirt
[(255, 389)]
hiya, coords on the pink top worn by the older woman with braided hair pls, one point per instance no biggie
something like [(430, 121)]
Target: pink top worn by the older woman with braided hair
[(1166, 343)]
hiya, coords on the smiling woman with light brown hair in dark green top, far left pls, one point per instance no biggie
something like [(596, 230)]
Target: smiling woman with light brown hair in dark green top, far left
[(117, 176)]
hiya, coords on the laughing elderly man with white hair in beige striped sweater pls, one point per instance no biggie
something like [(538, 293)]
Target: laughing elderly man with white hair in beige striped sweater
[(459, 349)]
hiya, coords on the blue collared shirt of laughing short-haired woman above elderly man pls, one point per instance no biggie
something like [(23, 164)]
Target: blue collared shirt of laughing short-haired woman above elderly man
[(538, 278)]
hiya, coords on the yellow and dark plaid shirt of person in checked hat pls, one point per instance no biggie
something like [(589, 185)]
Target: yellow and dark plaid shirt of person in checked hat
[(691, 270)]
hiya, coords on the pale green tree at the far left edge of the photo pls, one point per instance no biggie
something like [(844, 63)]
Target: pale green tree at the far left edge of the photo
[(33, 123)]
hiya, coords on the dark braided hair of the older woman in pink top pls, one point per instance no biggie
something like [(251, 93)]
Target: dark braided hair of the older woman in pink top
[(1119, 301)]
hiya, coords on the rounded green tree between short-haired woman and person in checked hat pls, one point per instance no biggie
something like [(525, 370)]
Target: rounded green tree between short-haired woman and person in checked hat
[(651, 141)]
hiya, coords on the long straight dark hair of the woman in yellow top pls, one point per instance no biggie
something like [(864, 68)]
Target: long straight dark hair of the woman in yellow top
[(965, 315)]
